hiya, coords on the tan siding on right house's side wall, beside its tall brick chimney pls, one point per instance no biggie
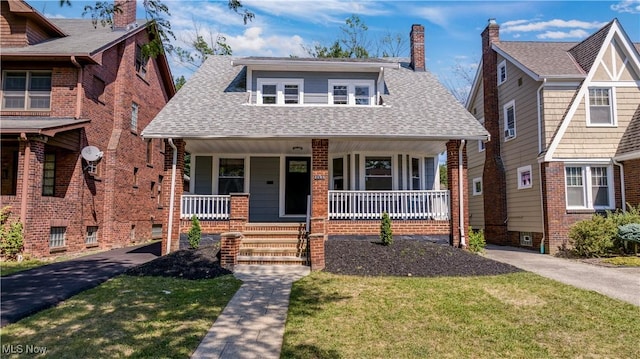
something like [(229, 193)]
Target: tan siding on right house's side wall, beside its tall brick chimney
[(523, 205)]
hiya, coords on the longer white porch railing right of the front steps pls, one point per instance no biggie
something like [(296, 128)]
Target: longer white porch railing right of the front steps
[(432, 205)]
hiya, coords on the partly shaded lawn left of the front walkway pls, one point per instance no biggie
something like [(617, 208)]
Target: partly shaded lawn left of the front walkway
[(137, 317)]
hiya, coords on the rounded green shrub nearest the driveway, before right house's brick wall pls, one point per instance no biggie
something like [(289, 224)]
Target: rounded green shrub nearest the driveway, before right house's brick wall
[(593, 237)]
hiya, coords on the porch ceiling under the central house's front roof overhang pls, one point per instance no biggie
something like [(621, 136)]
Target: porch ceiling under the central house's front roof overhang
[(292, 146)]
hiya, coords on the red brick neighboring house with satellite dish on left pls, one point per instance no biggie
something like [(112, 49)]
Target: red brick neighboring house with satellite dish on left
[(67, 85)]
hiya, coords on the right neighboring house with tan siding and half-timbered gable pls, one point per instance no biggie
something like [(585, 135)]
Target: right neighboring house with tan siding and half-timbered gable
[(564, 120)]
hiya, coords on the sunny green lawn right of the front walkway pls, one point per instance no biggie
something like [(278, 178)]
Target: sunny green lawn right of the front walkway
[(519, 315)]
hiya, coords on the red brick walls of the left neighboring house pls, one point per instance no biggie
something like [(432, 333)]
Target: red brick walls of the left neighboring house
[(109, 200)]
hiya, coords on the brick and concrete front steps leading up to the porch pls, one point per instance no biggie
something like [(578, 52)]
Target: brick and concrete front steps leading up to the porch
[(273, 244)]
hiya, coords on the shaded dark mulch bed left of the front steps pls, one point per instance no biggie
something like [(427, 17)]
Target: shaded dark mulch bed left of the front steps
[(201, 263)]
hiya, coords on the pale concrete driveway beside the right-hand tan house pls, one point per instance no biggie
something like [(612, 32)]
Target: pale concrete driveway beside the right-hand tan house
[(619, 283)]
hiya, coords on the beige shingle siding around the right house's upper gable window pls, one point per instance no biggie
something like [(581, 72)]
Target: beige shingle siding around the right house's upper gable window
[(582, 141)]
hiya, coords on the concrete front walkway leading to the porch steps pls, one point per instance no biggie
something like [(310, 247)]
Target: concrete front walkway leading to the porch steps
[(252, 323)]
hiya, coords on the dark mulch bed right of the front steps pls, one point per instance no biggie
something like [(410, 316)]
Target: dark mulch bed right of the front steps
[(407, 257)]
